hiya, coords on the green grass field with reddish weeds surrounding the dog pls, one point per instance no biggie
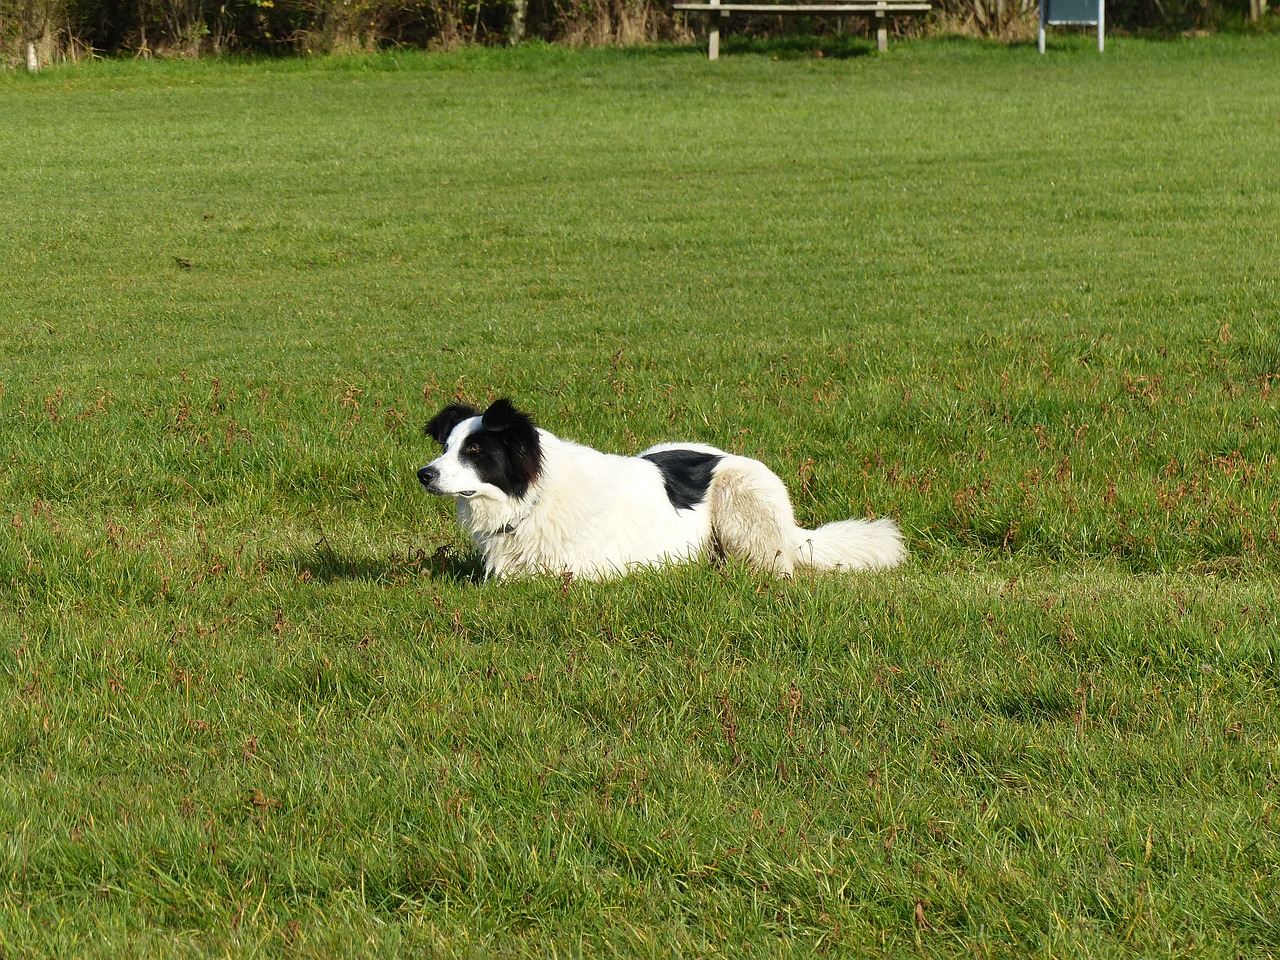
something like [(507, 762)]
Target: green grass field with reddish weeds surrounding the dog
[(255, 700)]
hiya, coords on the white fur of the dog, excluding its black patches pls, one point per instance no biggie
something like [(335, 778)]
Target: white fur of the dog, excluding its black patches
[(597, 515)]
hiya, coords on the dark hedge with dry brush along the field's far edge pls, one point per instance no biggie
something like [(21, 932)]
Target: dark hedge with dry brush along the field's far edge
[(39, 33)]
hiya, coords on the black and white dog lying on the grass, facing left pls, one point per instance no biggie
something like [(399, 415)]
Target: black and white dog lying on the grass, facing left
[(534, 504)]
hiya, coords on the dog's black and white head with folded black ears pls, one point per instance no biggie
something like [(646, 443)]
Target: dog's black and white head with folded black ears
[(495, 455)]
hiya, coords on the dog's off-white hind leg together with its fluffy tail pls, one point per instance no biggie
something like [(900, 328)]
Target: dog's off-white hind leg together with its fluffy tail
[(752, 519)]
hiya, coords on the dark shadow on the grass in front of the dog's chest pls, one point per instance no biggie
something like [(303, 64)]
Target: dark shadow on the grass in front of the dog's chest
[(328, 565)]
